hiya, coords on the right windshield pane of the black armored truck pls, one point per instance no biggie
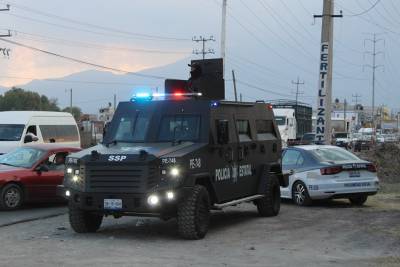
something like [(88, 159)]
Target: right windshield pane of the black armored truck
[(179, 128)]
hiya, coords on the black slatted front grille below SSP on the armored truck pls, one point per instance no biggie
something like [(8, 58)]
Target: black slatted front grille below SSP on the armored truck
[(120, 178)]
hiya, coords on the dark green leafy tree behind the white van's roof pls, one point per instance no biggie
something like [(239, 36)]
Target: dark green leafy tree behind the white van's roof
[(19, 99)]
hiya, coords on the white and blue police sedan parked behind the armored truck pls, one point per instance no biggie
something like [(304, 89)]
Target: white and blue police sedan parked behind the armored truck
[(327, 172)]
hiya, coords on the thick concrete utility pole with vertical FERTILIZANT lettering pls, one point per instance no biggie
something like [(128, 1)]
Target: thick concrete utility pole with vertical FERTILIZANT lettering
[(324, 103)]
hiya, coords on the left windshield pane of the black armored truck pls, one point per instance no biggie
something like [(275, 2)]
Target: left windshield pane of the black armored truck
[(132, 128)]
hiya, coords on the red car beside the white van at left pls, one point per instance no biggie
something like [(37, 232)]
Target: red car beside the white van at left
[(31, 174)]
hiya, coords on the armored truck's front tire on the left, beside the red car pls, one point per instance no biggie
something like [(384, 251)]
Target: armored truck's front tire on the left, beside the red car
[(84, 221)]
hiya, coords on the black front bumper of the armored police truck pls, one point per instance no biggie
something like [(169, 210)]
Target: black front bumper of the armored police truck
[(132, 203)]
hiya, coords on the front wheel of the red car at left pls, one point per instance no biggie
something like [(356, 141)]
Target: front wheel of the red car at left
[(11, 197)]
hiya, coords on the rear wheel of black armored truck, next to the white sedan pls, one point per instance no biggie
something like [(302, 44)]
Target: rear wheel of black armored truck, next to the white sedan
[(270, 204)]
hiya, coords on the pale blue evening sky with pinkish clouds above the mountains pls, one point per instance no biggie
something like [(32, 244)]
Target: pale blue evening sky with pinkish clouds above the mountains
[(270, 43)]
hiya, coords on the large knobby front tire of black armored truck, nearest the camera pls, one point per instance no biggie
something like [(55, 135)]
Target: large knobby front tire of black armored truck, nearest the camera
[(194, 214)]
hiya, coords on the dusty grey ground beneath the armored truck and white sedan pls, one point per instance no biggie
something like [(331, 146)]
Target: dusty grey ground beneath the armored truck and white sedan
[(323, 235)]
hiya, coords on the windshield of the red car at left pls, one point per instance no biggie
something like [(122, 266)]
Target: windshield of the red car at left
[(24, 157)]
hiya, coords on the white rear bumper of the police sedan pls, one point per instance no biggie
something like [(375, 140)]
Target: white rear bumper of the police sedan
[(320, 190)]
